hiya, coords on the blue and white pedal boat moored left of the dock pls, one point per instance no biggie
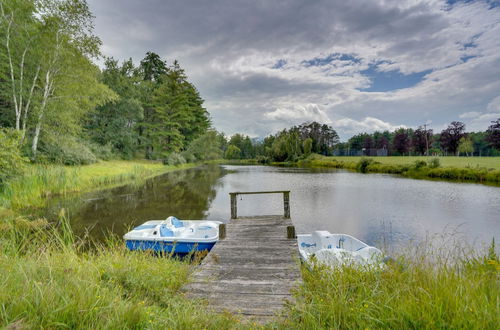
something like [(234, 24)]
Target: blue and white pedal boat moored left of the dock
[(174, 236)]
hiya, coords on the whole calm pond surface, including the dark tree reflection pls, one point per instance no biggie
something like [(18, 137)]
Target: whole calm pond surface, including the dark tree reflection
[(379, 209)]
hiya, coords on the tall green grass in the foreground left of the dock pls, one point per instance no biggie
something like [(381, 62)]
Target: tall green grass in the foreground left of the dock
[(49, 281)]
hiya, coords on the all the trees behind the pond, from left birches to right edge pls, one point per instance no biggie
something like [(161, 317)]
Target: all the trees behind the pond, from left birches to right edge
[(57, 106)]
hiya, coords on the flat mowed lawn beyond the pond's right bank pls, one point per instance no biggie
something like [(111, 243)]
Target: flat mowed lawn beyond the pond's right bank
[(487, 162)]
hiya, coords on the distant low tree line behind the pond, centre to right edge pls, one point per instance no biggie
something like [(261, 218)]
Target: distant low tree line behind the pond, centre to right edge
[(312, 137)]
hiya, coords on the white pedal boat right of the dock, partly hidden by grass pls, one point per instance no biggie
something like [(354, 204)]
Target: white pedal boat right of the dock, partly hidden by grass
[(336, 250)]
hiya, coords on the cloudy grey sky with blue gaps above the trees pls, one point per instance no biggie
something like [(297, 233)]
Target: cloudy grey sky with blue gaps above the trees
[(263, 65)]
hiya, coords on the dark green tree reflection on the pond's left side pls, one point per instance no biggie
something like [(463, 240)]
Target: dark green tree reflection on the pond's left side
[(186, 194)]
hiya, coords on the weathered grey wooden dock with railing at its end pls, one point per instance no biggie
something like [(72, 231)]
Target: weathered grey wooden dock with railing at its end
[(251, 271)]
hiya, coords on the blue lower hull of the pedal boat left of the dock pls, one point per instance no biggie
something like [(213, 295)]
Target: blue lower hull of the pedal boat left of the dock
[(168, 246)]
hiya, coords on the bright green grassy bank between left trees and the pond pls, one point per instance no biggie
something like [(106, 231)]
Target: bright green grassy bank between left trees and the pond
[(42, 181)]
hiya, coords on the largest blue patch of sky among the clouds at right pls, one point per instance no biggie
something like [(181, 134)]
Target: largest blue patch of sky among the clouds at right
[(392, 80)]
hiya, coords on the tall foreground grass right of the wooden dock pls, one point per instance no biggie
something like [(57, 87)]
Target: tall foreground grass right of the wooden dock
[(428, 290)]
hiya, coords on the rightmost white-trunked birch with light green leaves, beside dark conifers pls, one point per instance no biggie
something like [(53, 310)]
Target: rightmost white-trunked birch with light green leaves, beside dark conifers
[(68, 79)]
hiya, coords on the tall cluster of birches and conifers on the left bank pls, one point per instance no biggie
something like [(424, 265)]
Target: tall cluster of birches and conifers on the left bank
[(58, 106)]
